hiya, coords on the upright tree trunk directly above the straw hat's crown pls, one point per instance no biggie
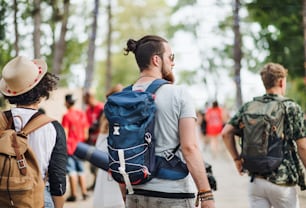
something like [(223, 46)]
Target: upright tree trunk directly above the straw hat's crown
[(36, 32)]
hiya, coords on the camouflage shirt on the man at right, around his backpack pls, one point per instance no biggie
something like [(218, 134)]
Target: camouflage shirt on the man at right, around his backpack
[(290, 172)]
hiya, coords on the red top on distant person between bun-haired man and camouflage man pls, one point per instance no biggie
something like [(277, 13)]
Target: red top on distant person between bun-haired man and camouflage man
[(214, 121)]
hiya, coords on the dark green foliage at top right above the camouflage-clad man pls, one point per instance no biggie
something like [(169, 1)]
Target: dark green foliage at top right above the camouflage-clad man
[(282, 32)]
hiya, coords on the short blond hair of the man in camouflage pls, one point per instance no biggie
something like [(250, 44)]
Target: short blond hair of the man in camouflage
[(271, 73)]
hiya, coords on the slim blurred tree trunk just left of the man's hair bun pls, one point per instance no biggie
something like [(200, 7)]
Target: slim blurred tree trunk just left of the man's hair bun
[(108, 81)]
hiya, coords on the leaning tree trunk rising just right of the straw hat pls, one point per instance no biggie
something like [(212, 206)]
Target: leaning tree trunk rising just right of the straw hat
[(60, 45)]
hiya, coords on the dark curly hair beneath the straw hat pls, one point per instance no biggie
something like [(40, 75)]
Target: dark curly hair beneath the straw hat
[(42, 90)]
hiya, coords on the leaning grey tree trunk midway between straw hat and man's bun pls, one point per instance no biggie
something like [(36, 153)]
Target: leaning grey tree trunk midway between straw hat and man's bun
[(91, 49)]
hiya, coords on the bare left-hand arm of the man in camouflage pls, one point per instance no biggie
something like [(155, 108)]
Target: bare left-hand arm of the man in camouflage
[(229, 141)]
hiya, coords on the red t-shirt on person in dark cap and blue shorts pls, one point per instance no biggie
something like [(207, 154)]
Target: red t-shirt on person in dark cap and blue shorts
[(75, 122)]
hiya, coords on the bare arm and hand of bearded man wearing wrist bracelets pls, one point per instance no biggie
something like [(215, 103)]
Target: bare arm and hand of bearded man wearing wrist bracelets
[(193, 157)]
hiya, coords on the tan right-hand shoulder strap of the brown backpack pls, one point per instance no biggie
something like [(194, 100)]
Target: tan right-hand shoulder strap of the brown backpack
[(36, 121)]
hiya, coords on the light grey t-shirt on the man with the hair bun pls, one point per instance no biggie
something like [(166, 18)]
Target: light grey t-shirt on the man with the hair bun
[(173, 103)]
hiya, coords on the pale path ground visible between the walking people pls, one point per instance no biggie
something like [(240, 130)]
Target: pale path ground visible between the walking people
[(232, 188)]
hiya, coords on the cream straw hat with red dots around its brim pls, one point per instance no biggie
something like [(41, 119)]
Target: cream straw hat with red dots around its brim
[(20, 75)]
